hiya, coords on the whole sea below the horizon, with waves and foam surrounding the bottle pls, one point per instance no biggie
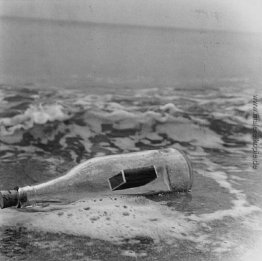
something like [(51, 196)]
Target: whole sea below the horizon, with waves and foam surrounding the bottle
[(72, 91)]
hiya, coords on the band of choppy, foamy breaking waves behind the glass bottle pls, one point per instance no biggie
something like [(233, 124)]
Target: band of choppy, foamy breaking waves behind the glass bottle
[(83, 125)]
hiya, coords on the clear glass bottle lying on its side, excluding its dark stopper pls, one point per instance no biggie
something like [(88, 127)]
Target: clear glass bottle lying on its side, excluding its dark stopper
[(161, 170)]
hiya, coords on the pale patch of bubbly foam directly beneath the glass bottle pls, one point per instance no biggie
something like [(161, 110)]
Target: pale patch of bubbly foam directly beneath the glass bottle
[(114, 223)]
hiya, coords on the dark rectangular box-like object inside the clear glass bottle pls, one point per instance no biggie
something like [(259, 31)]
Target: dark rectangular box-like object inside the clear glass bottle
[(131, 178)]
